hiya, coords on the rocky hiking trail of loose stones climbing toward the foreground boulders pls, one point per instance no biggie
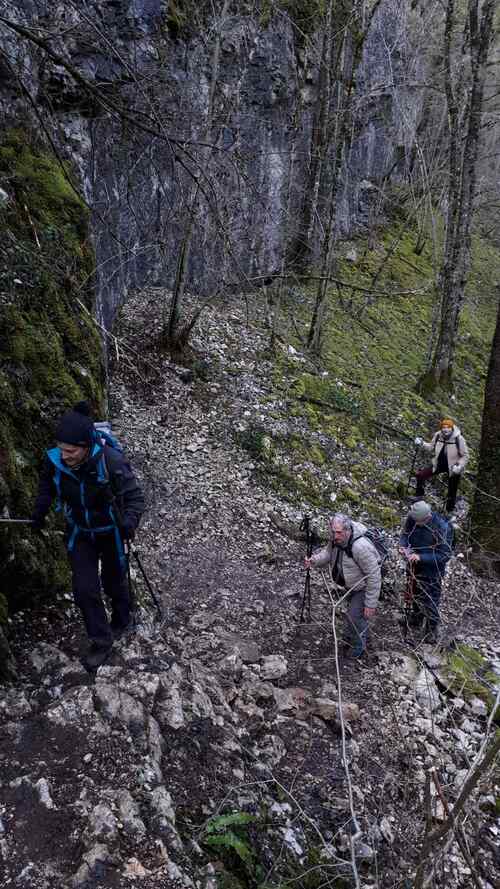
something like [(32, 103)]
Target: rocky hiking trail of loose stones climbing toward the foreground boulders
[(229, 706)]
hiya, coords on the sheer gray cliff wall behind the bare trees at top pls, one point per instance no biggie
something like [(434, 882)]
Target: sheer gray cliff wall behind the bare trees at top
[(140, 186)]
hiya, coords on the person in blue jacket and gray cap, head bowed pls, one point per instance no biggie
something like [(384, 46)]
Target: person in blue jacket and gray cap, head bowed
[(427, 545)]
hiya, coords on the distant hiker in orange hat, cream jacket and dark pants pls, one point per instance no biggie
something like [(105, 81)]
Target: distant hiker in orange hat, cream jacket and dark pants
[(450, 455)]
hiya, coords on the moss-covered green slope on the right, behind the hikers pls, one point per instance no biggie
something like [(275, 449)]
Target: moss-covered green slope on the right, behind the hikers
[(359, 401)]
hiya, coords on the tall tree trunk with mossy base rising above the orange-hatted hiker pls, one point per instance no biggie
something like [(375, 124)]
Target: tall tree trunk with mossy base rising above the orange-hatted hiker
[(466, 48)]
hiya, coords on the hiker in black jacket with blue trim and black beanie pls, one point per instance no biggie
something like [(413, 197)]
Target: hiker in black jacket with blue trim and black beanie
[(84, 475)]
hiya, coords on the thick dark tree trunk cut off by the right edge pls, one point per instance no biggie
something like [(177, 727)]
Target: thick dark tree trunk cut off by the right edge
[(486, 507)]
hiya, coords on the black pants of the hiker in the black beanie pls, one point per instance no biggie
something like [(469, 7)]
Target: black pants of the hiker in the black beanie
[(84, 559)]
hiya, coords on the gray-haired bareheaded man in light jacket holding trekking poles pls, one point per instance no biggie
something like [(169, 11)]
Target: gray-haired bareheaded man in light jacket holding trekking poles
[(355, 564)]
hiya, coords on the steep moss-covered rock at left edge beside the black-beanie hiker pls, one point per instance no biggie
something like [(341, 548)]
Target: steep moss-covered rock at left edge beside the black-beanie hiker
[(50, 353)]
